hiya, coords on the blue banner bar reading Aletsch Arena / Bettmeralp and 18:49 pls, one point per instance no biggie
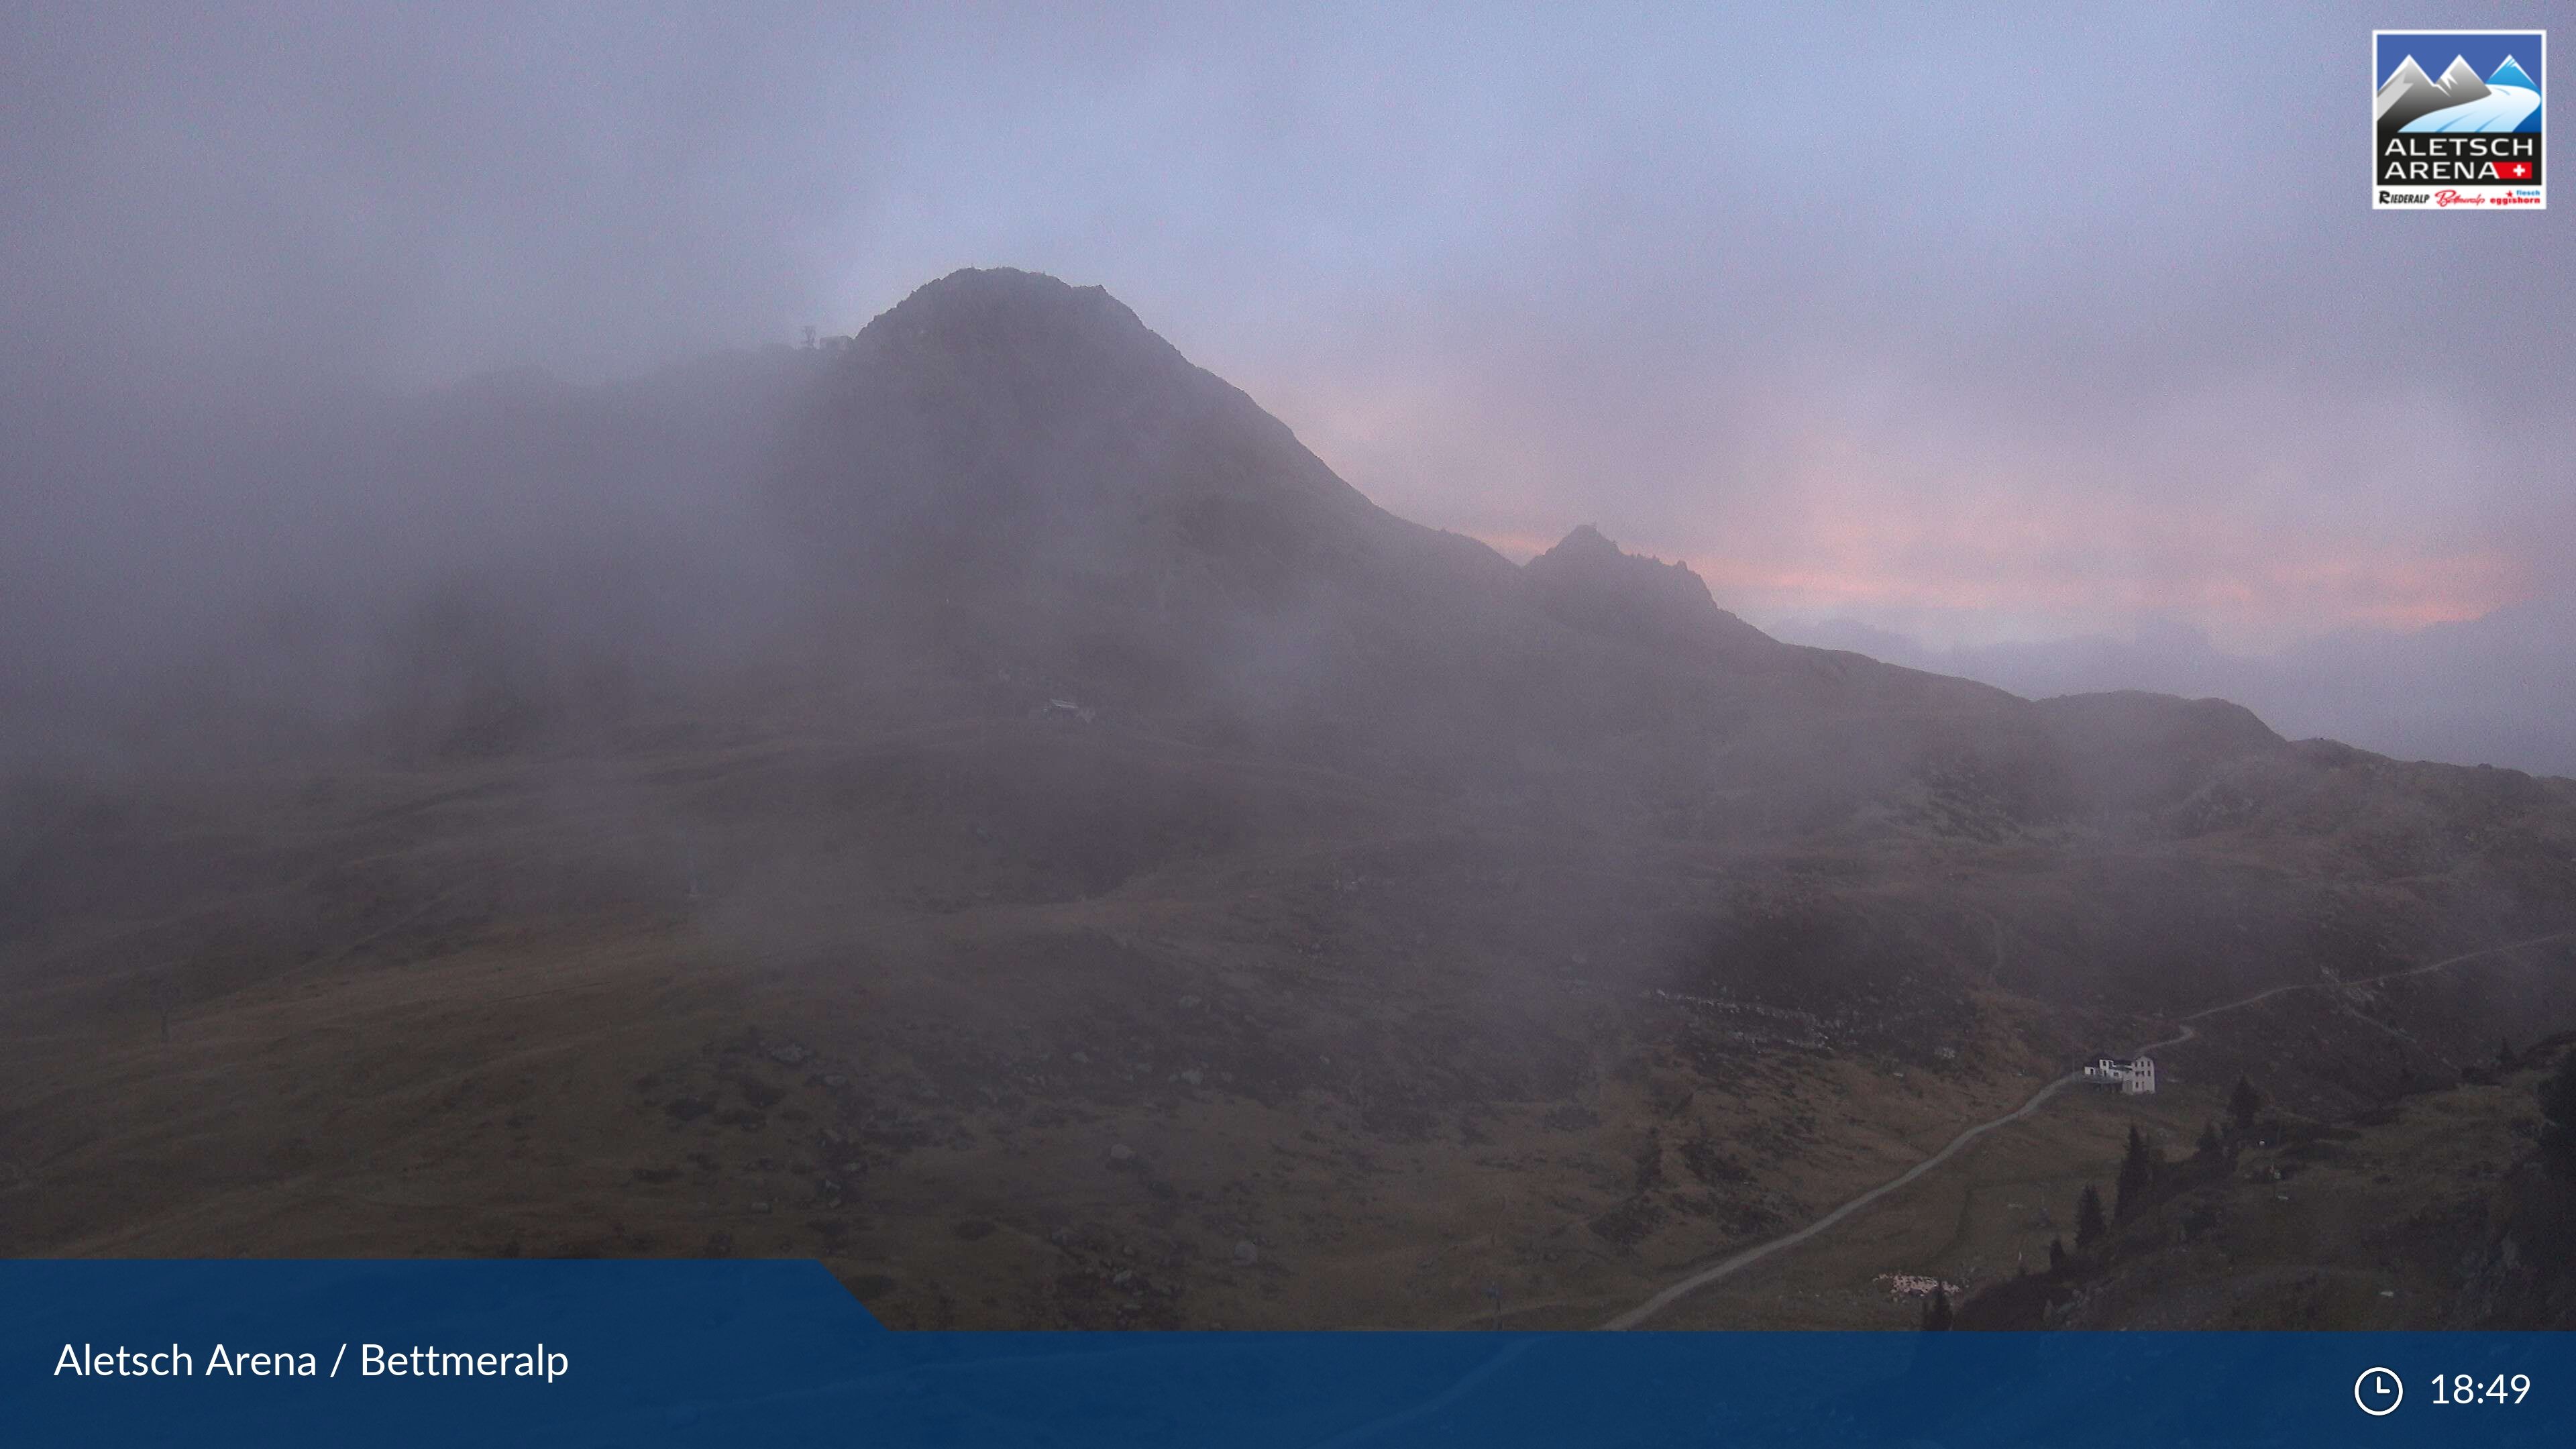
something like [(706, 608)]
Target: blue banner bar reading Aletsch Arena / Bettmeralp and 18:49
[(656, 1352)]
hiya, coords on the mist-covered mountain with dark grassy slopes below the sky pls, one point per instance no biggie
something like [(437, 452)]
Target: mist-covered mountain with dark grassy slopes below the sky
[(978, 803)]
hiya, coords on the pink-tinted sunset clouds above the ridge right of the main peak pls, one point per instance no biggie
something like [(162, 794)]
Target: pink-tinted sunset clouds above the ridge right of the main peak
[(1859, 491)]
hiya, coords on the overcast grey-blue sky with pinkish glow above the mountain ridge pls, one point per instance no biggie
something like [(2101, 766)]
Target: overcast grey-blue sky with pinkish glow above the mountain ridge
[(1977, 324)]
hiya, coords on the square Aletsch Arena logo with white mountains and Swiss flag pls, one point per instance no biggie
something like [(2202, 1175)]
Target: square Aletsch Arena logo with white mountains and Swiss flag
[(2464, 138)]
